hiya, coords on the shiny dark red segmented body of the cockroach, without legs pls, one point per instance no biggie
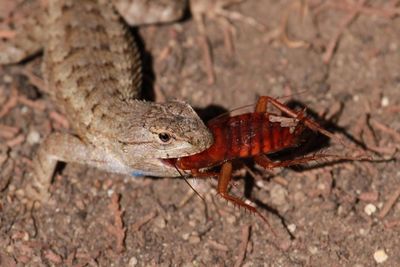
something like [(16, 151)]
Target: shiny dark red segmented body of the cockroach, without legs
[(243, 136)]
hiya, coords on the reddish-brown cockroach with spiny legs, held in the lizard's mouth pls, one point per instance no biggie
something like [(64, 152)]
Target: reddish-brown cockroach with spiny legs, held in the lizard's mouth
[(254, 134)]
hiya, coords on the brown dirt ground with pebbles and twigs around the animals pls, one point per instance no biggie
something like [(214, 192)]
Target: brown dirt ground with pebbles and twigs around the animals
[(340, 214)]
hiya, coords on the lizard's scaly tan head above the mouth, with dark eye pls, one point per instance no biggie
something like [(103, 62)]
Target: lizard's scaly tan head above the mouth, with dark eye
[(167, 130)]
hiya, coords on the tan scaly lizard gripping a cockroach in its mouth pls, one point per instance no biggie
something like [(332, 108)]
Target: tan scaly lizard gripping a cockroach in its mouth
[(92, 68)]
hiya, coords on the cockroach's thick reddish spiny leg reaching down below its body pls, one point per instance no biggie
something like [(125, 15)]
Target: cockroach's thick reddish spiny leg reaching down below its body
[(222, 189)]
